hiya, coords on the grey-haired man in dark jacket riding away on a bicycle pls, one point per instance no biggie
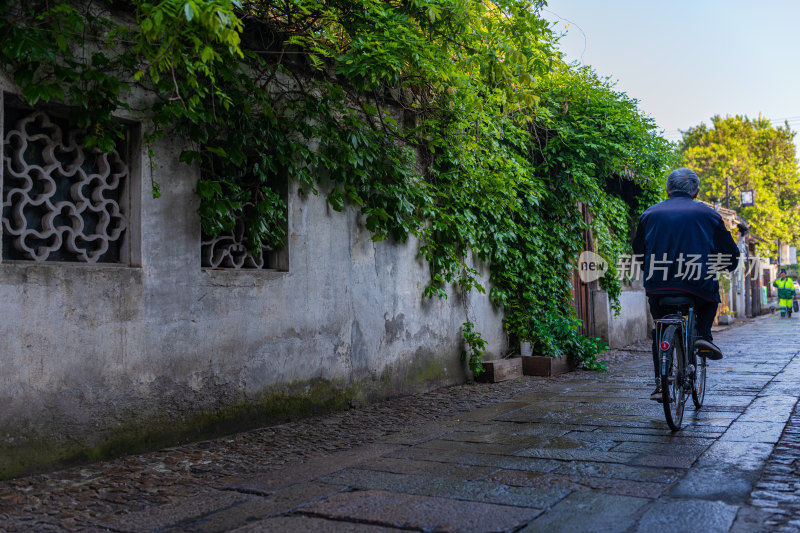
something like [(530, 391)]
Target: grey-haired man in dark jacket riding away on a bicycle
[(684, 245)]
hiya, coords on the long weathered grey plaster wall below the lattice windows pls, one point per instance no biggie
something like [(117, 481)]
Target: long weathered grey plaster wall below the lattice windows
[(102, 359)]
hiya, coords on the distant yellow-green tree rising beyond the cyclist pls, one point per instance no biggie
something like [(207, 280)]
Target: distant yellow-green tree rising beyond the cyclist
[(751, 154)]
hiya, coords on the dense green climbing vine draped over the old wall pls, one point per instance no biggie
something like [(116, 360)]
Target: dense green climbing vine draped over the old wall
[(453, 121)]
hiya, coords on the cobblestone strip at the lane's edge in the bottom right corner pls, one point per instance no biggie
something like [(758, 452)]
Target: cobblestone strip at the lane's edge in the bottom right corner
[(778, 490)]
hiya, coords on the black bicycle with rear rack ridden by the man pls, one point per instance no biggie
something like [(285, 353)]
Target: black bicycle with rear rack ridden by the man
[(683, 369)]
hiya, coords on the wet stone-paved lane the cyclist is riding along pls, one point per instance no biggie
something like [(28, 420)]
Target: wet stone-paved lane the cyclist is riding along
[(580, 452)]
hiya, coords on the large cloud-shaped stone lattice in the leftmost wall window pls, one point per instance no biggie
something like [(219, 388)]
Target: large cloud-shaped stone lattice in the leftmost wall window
[(60, 196)]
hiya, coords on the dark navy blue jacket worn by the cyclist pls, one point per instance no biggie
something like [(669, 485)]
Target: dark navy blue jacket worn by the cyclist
[(683, 244)]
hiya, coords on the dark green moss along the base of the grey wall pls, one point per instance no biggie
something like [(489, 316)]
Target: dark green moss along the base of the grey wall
[(35, 453)]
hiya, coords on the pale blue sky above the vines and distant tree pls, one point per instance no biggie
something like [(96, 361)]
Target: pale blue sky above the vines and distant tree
[(686, 61)]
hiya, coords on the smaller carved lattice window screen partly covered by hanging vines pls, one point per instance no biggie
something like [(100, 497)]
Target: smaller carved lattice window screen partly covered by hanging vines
[(229, 251)]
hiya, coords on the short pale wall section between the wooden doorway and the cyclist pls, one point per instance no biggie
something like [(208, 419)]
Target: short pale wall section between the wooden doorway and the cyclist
[(630, 326)]
